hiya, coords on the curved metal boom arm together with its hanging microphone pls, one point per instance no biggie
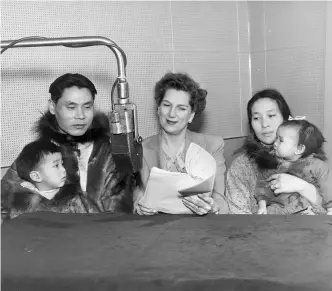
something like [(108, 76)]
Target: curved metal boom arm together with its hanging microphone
[(125, 140)]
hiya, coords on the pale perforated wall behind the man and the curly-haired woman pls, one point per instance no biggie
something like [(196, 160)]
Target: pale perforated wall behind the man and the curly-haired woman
[(209, 40)]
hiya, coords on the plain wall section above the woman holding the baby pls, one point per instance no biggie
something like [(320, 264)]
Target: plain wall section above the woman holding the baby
[(287, 40)]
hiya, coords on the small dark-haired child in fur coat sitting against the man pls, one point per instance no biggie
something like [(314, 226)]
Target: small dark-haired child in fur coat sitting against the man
[(44, 186)]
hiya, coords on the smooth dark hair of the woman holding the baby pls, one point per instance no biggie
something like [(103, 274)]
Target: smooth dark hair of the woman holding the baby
[(273, 95)]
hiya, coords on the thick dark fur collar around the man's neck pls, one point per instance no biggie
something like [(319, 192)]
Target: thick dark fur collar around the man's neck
[(47, 127)]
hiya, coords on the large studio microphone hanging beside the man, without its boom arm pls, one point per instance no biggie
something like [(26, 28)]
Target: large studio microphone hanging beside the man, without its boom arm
[(125, 141)]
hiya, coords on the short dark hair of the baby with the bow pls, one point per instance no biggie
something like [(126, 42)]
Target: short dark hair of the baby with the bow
[(309, 136)]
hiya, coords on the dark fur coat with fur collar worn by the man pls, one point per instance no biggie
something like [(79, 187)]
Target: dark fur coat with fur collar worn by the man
[(107, 189)]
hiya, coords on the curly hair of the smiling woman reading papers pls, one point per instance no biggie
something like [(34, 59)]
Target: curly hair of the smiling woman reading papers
[(181, 82)]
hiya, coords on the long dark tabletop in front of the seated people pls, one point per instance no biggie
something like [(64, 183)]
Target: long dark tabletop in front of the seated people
[(49, 251)]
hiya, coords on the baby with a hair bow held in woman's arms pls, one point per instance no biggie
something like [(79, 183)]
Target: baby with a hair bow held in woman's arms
[(298, 150)]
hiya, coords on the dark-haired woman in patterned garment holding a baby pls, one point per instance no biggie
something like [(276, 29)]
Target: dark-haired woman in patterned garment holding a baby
[(266, 110)]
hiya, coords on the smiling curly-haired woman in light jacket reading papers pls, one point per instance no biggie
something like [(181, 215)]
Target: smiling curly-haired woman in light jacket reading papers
[(179, 99)]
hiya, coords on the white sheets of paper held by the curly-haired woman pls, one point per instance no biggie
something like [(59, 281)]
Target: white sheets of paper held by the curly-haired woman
[(165, 190)]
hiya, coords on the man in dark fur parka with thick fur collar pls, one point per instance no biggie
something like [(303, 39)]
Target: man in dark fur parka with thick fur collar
[(83, 136)]
